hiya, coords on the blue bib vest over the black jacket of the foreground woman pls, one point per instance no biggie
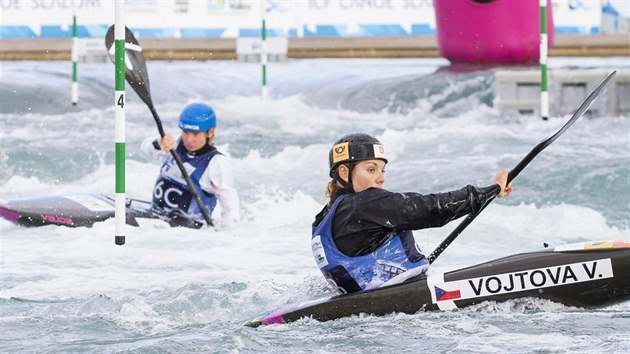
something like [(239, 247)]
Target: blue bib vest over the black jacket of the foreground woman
[(397, 254)]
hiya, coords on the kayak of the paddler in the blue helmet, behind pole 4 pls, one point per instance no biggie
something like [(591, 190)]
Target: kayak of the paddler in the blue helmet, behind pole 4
[(71, 210)]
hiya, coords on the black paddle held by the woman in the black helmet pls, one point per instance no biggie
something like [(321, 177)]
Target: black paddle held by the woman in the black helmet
[(521, 165)]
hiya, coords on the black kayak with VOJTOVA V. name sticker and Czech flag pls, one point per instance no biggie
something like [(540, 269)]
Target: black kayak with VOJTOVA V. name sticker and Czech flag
[(589, 275)]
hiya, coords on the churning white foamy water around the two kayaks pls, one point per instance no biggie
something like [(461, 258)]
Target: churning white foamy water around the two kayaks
[(177, 289)]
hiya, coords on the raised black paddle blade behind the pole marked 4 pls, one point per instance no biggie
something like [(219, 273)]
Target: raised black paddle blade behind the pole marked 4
[(135, 64)]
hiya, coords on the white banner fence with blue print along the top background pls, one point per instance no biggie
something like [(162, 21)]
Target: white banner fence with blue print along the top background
[(293, 18)]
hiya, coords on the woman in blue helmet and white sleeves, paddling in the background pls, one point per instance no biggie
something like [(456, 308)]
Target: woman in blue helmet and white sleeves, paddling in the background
[(208, 169)]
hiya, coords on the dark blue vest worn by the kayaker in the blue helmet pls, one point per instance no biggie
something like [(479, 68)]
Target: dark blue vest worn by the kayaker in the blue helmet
[(172, 192)]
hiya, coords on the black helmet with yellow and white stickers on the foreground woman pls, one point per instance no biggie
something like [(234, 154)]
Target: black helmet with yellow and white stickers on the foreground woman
[(355, 147)]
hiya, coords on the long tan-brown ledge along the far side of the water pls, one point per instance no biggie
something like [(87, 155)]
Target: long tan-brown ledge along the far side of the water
[(314, 47)]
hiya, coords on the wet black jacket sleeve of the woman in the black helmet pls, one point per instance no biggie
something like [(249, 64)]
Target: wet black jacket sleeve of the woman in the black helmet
[(363, 220)]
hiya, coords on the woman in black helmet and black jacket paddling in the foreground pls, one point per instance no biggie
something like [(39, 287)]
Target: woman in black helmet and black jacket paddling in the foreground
[(362, 238)]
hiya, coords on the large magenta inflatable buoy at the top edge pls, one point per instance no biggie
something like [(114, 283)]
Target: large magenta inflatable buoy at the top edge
[(490, 31)]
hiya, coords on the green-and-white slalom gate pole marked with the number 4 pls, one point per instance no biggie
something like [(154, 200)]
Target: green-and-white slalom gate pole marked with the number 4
[(119, 102)]
